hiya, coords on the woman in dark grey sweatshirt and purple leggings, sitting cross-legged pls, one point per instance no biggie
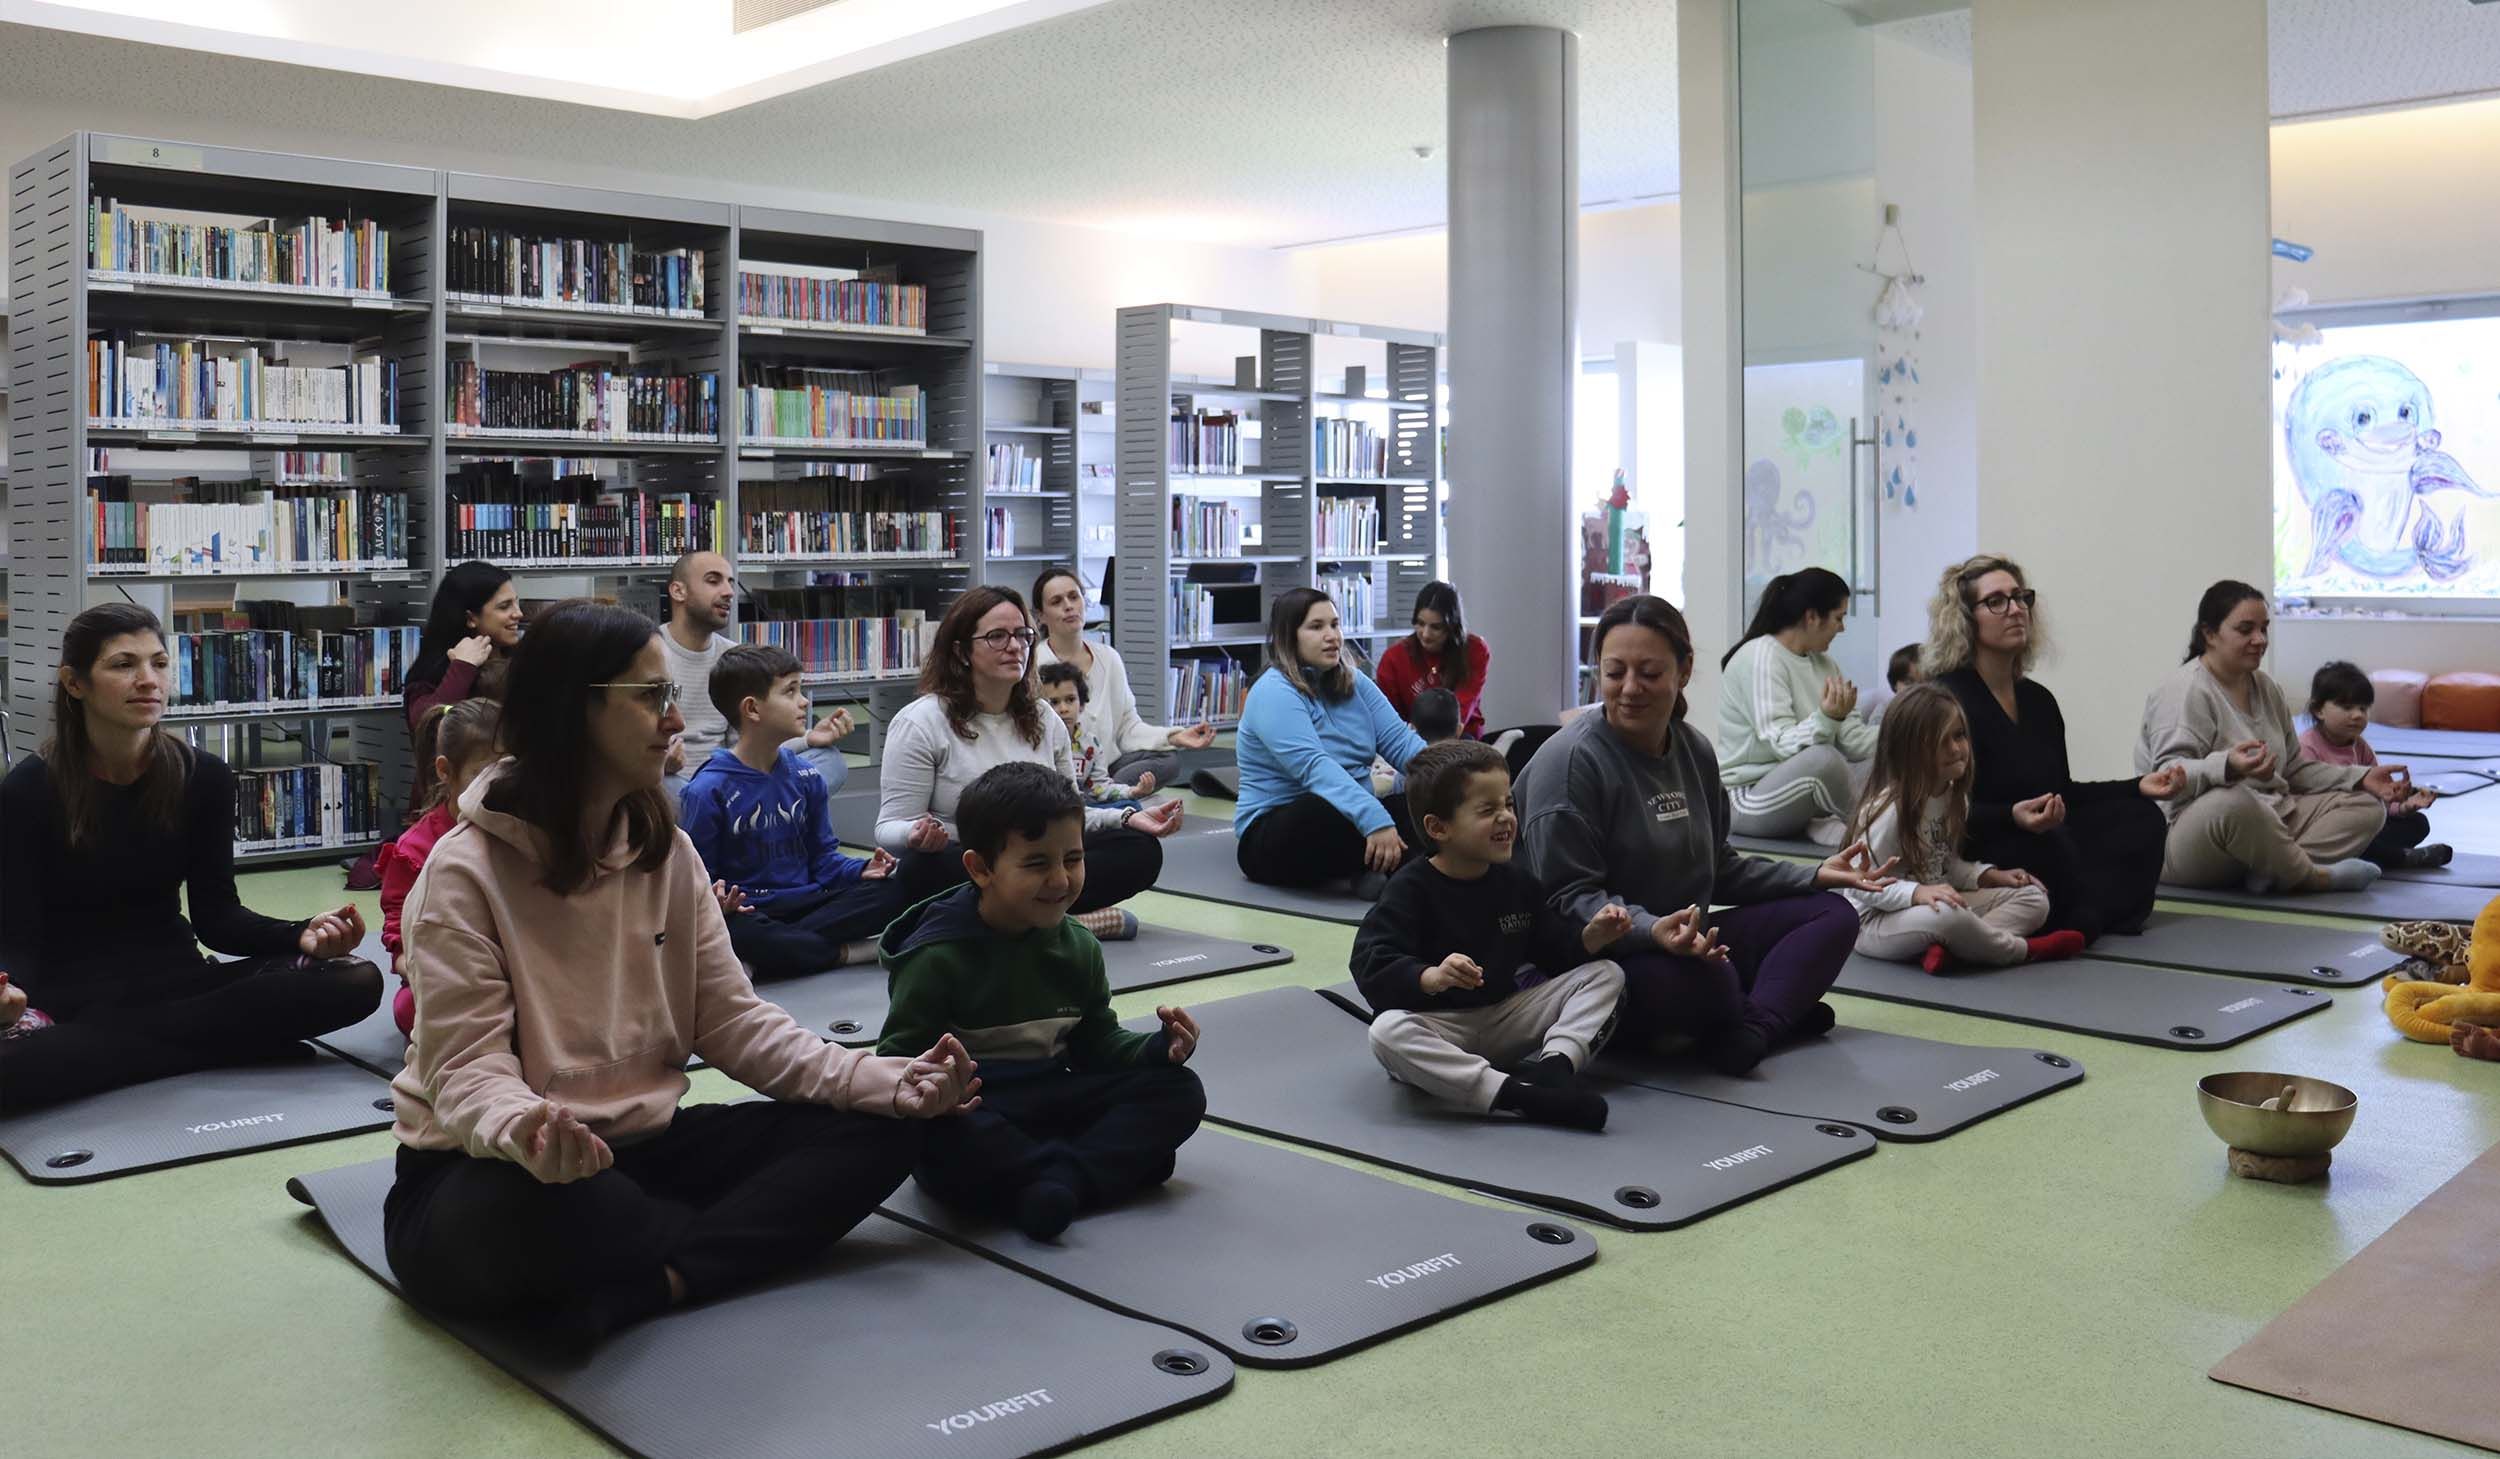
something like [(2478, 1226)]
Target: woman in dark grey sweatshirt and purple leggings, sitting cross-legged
[(1626, 806)]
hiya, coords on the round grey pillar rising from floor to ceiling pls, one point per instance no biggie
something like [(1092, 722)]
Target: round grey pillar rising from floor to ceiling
[(1516, 356)]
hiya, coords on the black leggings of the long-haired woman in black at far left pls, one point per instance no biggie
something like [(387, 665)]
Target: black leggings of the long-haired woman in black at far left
[(231, 1013)]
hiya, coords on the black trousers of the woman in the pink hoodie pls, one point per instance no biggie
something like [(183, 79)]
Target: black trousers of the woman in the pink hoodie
[(726, 1195)]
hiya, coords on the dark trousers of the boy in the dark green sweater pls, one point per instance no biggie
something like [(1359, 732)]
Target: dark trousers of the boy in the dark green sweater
[(1106, 1135)]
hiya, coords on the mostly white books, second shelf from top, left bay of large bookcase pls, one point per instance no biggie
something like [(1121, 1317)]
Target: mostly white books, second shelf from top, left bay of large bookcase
[(234, 386)]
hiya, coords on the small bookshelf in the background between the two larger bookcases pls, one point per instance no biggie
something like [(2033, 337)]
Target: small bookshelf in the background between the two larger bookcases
[(1049, 473)]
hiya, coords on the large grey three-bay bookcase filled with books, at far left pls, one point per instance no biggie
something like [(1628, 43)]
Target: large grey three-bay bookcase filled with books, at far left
[(499, 299)]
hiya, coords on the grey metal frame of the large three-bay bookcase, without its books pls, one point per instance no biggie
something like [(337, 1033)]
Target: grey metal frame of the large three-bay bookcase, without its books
[(59, 306)]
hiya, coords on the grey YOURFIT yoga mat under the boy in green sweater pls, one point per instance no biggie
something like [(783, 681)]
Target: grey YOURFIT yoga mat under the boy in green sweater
[(1279, 1258)]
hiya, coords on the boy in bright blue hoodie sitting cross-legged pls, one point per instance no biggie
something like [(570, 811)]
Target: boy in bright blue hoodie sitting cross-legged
[(756, 813)]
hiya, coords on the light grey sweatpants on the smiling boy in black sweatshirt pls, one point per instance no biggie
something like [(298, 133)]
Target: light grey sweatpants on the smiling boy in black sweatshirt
[(1461, 1053)]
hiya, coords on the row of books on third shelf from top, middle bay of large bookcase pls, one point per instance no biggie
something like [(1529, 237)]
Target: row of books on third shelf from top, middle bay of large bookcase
[(501, 516)]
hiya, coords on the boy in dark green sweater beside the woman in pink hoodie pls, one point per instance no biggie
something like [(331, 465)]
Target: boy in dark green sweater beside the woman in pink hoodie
[(1076, 1110)]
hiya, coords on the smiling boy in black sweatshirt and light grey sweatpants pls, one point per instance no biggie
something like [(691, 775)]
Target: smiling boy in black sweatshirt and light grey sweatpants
[(1474, 971)]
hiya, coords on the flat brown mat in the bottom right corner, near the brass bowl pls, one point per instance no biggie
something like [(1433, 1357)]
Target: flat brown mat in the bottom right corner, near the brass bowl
[(2404, 1330)]
